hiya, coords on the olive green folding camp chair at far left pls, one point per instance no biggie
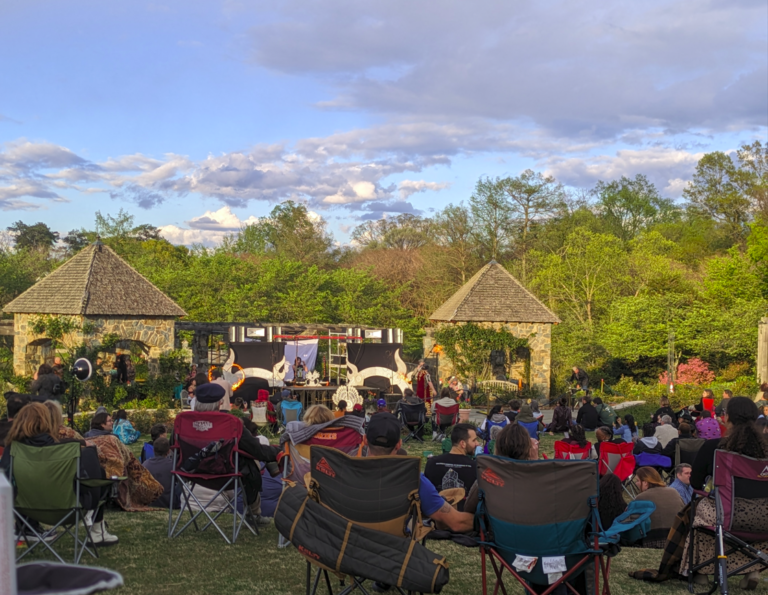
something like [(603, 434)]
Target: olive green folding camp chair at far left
[(48, 486)]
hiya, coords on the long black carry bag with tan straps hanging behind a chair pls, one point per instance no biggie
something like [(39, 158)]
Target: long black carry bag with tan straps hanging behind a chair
[(330, 541)]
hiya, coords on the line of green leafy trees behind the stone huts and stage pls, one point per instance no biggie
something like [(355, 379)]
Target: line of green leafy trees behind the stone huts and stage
[(622, 265)]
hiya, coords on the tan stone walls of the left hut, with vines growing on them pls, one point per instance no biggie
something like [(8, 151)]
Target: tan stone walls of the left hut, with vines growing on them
[(29, 349)]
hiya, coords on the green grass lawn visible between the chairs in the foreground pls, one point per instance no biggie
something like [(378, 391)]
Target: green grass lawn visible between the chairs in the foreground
[(202, 564)]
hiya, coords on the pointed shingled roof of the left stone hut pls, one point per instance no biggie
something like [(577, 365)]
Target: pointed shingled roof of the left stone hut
[(95, 282)]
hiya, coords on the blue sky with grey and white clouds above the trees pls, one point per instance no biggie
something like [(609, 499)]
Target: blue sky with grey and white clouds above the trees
[(200, 116)]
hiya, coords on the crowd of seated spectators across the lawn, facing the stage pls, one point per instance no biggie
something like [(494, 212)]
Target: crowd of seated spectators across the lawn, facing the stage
[(448, 491)]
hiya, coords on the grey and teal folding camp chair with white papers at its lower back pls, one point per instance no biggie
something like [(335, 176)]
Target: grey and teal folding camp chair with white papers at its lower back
[(539, 522)]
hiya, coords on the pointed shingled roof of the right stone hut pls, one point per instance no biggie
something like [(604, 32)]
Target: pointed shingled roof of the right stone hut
[(493, 295)]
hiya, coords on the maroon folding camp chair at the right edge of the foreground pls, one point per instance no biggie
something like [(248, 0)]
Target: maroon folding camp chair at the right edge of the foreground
[(738, 482)]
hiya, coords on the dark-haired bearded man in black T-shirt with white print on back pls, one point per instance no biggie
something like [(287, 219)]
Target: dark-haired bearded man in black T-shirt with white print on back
[(456, 469)]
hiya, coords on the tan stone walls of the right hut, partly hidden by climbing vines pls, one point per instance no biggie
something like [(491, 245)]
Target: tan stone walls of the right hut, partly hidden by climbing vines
[(540, 347)]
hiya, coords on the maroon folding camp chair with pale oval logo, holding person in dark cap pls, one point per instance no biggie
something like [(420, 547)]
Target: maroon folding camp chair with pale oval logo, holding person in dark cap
[(193, 431)]
